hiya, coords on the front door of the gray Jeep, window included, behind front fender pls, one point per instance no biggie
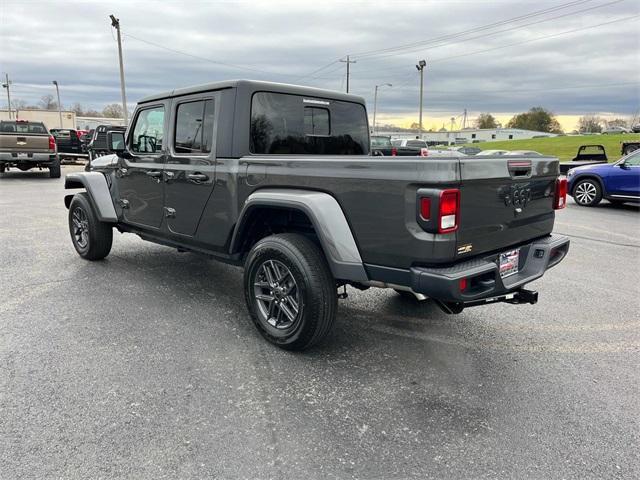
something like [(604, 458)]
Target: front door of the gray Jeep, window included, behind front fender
[(140, 169)]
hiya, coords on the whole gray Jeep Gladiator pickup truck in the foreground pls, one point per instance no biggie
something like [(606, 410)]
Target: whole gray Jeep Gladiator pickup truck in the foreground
[(279, 179)]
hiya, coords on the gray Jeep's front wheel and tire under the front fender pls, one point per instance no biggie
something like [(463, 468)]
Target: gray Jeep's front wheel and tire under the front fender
[(93, 240)]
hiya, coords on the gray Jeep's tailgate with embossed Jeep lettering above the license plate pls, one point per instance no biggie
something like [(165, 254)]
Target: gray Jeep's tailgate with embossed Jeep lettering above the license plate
[(504, 201)]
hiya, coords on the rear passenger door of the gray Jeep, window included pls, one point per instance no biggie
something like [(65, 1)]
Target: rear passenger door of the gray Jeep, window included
[(190, 169)]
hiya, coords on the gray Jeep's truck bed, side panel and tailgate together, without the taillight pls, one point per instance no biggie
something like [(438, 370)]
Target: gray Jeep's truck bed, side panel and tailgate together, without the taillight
[(379, 196)]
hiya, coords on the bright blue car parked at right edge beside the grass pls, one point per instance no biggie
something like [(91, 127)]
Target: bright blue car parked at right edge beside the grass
[(617, 182)]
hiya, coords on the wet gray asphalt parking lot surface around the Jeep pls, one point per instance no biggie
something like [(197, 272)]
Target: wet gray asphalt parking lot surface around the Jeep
[(145, 365)]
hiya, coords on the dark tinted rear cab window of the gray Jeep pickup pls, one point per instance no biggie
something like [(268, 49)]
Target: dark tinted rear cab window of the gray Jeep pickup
[(294, 124)]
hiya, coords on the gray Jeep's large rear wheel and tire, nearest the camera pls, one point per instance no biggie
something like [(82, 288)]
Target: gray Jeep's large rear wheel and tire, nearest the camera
[(305, 281)]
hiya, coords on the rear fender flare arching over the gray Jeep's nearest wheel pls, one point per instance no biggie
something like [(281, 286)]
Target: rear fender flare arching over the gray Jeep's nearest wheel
[(328, 220)]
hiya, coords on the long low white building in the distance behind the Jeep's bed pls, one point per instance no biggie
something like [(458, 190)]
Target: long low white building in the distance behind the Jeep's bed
[(469, 135)]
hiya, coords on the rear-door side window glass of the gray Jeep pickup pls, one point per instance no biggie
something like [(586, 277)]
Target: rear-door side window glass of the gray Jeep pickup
[(194, 127)]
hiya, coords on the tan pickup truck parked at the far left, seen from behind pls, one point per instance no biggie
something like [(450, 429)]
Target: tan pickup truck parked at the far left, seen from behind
[(25, 145)]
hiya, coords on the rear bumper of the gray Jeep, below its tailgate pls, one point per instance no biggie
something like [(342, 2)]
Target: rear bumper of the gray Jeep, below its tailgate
[(482, 275)]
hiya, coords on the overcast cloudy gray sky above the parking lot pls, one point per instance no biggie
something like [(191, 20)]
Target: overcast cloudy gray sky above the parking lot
[(573, 57)]
